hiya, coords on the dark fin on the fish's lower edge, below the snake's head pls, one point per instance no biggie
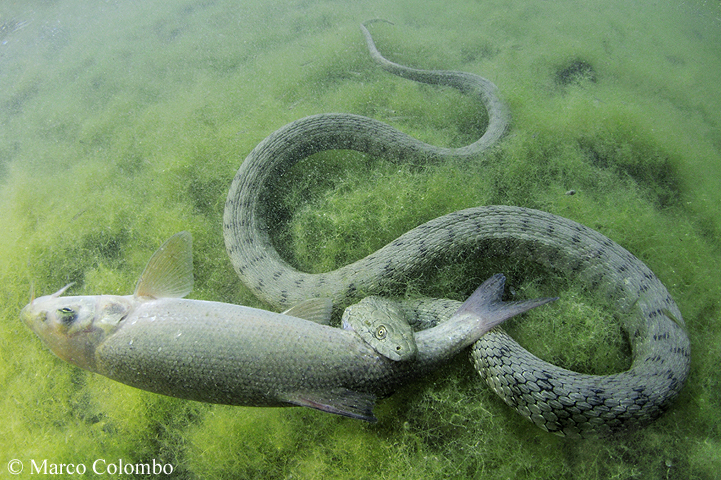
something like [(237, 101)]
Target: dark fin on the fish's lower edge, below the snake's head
[(340, 401)]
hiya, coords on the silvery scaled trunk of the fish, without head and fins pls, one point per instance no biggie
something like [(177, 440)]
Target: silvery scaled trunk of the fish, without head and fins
[(230, 354)]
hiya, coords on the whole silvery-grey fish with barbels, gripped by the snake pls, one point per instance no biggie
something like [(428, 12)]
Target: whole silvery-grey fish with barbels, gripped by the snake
[(222, 353)]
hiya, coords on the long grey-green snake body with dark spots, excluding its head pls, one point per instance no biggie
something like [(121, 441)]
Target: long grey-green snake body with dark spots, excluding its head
[(555, 399)]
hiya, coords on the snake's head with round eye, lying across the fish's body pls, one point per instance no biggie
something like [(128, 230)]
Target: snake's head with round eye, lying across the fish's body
[(382, 324)]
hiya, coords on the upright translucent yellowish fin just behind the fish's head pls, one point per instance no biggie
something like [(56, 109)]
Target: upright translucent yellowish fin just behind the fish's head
[(169, 272)]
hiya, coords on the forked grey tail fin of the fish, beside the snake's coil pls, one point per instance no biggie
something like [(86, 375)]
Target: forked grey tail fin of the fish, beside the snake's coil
[(486, 304)]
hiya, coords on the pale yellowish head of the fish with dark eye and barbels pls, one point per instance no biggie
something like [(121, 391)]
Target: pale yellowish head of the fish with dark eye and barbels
[(74, 326)]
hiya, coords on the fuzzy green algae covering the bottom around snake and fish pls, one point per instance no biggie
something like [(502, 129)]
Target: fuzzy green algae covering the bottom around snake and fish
[(124, 124)]
